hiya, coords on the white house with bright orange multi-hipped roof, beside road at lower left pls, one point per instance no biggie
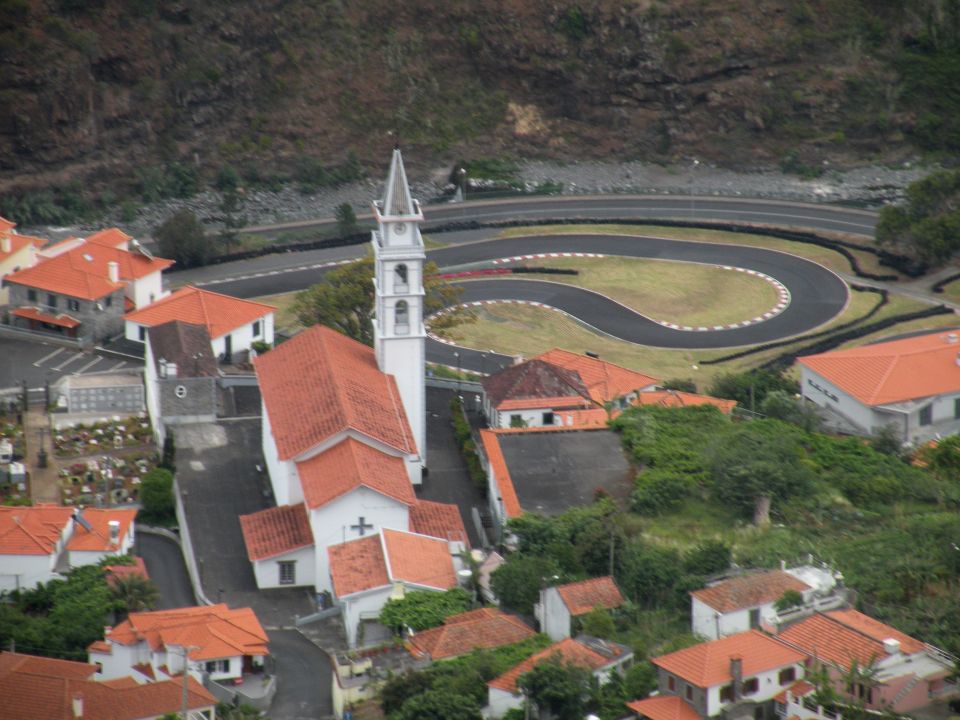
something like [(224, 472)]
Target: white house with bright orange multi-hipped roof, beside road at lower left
[(220, 643)]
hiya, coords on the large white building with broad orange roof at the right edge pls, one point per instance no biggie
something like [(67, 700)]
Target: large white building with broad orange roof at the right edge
[(911, 384)]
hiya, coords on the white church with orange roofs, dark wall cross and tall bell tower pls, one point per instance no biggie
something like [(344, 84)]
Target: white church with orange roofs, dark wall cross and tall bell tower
[(344, 434)]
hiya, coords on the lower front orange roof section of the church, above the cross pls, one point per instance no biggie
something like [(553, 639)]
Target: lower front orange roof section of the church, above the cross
[(351, 464)]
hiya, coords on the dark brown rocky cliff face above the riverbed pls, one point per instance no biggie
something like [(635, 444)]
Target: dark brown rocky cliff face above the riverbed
[(102, 89)]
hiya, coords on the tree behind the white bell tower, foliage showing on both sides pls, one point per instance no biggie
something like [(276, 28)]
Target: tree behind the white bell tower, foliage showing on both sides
[(344, 301)]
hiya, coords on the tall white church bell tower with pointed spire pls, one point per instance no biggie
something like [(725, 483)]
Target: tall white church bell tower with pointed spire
[(399, 334)]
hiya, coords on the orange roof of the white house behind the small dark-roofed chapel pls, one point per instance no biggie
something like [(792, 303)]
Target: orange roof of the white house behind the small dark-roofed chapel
[(220, 314)]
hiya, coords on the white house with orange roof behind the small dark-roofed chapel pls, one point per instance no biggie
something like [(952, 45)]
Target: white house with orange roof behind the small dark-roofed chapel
[(233, 324)]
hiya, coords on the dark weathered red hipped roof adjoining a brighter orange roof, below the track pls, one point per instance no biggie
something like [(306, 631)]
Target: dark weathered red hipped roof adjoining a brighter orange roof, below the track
[(534, 382)]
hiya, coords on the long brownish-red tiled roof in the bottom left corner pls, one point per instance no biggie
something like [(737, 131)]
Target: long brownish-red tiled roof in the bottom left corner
[(39, 688)]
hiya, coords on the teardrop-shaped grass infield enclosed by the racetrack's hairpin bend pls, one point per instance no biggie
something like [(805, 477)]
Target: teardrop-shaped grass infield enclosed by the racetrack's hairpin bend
[(684, 293)]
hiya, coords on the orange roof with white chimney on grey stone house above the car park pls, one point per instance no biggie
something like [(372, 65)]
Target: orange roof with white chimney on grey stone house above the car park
[(83, 272)]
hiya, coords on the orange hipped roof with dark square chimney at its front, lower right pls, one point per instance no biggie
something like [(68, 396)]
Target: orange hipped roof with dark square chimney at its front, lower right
[(708, 664)]
